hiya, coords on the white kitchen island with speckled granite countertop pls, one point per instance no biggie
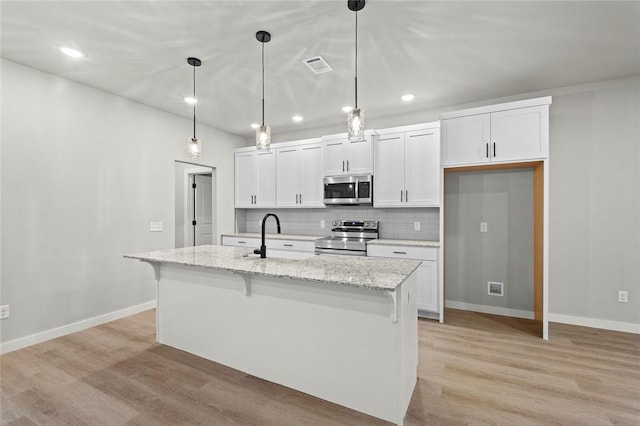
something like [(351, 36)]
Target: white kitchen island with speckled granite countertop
[(341, 328)]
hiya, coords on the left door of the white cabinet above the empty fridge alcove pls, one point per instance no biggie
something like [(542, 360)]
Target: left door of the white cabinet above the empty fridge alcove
[(465, 140)]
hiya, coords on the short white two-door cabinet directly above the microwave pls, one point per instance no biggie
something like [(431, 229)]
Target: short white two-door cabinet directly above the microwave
[(342, 157)]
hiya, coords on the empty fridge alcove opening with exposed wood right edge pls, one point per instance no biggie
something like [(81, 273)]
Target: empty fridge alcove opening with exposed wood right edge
[(493, 238)]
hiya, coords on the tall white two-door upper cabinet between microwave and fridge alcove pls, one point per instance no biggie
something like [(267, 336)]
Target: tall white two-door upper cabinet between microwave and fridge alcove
[(407, 166)]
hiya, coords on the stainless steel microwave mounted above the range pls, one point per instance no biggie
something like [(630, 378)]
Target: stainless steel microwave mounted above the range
[(348, 190)]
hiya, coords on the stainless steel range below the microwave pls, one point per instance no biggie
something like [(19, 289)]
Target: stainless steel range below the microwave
[(348, 237)]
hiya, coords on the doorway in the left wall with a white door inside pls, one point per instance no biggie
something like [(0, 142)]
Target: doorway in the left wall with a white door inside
[(194, 204)]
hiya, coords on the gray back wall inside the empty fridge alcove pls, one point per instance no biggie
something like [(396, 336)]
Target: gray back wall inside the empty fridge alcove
[(504, 200)]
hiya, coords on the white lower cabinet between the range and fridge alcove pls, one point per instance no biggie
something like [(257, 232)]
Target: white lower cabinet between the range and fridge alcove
[(427, 272)]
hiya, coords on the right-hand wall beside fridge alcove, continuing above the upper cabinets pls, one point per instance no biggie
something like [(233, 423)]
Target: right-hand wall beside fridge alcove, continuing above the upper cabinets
[(594, 203)]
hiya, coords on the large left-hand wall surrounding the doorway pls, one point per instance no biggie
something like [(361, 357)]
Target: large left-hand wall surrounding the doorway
[(83, 173)]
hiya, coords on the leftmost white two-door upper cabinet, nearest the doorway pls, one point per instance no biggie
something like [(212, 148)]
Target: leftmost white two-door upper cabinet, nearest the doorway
[(255, 179)]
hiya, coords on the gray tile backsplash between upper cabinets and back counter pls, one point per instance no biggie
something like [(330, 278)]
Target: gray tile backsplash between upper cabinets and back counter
[(394, 223)]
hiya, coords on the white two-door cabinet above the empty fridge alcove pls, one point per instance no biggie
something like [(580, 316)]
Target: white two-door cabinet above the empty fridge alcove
[(511, 132)]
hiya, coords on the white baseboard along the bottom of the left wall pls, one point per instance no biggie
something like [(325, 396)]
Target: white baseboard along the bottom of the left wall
[(43, 336)]
